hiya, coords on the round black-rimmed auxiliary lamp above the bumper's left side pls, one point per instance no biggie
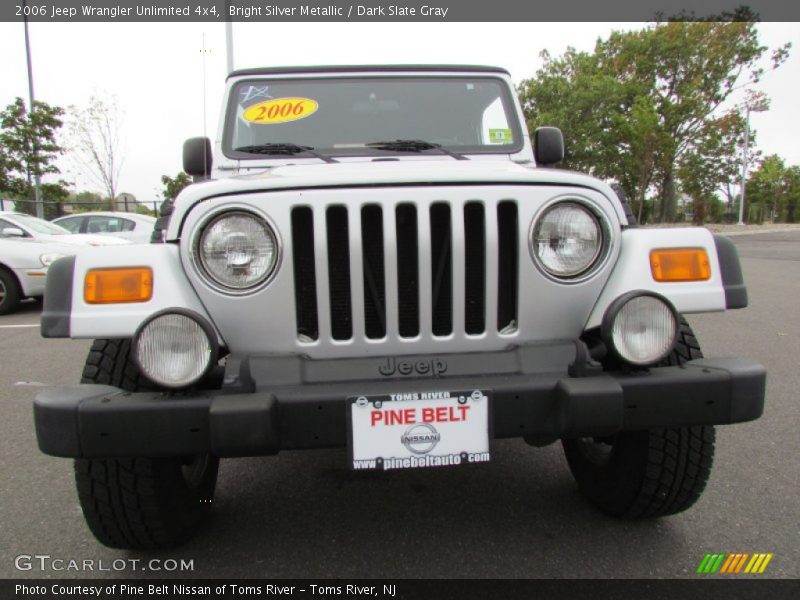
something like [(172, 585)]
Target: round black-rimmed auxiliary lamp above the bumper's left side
[(175, 350)]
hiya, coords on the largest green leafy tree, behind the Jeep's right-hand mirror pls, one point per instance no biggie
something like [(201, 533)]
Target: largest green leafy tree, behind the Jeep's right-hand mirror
[(643, 100)]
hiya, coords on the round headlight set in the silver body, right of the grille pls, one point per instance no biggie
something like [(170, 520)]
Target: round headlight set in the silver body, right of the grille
[(567, 239)]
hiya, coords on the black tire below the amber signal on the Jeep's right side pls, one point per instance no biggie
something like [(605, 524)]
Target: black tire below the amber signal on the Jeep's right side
[(650, 473)]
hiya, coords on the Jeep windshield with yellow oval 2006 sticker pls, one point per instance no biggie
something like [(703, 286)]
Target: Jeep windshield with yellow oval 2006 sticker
[(343, 116)]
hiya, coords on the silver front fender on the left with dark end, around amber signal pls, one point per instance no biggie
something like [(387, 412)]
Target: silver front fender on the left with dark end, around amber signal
[(67, 314)]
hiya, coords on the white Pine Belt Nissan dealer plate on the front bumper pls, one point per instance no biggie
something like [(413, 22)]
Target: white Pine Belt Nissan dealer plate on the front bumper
[(418, 429)]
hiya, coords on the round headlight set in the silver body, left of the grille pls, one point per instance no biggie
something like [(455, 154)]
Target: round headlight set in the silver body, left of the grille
[(238, 250)]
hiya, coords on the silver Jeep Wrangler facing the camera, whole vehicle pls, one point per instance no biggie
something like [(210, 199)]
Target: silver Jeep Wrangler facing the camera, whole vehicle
[(380, 259)]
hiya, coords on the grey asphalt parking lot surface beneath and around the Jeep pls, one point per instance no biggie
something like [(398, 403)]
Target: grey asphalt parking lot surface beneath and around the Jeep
[(303, 514)]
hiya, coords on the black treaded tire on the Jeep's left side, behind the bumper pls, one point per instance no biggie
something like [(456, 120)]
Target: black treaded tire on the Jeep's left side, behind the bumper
[(140, 503)]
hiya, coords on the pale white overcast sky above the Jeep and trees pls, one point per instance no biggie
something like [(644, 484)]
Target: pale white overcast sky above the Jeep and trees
[(156, 71)]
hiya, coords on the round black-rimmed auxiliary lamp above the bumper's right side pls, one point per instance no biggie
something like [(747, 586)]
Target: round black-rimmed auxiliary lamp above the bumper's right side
[(641, 328)]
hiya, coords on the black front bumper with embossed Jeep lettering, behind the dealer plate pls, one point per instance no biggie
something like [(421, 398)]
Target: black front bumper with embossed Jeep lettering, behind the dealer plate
[(268, 403)]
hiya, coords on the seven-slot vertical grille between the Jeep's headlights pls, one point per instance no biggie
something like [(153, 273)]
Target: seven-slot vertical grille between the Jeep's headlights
[(405, 271)]
